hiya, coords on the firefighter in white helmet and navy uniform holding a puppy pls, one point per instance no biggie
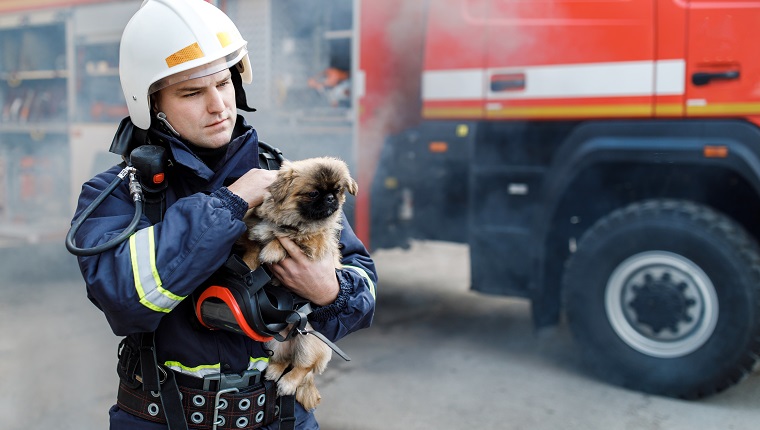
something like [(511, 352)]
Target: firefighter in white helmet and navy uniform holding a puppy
[(182, 66)]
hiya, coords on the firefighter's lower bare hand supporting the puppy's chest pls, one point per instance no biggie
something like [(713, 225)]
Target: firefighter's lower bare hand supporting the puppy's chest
[(312, 280)]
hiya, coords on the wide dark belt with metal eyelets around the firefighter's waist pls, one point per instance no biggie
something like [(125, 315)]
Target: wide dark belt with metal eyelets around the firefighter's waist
[(230, 408)]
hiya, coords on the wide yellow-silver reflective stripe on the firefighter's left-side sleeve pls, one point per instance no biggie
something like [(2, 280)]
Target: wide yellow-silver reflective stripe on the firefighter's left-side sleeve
[(142, 252)]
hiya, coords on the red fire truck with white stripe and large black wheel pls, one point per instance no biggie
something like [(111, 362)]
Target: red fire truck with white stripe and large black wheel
[(601, 158)]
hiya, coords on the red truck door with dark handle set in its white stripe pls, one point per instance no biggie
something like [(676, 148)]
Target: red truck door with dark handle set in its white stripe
[(555, 59)]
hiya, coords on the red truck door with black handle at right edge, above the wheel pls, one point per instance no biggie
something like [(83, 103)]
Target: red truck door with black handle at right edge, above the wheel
[(722, 65)]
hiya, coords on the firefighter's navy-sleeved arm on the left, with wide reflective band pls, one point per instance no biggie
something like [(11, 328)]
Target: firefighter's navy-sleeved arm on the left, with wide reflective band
[(147, 276)]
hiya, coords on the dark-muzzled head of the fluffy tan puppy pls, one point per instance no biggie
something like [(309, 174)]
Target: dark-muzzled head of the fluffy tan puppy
[(311, 190)]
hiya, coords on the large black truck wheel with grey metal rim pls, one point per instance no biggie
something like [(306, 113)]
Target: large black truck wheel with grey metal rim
[(663, 297)]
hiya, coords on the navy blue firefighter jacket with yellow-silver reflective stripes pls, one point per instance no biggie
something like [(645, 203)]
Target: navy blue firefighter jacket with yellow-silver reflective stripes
[(144, 284)]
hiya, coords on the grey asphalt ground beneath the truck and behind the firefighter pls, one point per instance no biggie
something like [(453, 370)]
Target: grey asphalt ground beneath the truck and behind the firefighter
[(438, 356)]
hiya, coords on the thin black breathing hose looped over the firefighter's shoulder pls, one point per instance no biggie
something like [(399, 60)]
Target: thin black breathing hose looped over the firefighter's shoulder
[(135, 191)]
